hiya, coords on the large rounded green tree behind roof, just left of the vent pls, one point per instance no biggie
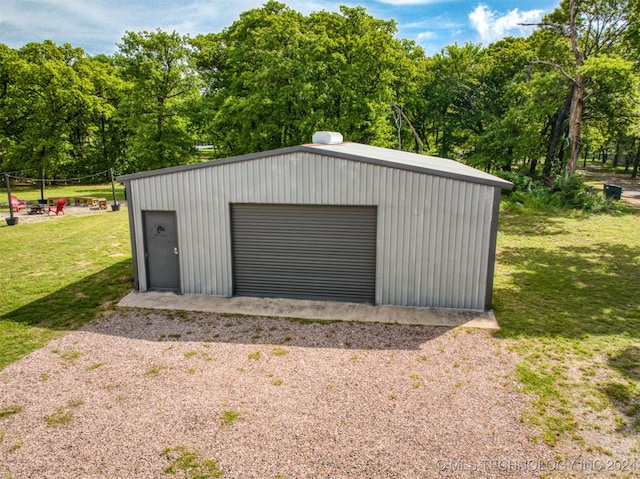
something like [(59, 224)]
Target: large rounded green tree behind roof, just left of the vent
[(257, 83)]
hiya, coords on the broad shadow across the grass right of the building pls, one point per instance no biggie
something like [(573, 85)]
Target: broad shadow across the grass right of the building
[(583, 290)]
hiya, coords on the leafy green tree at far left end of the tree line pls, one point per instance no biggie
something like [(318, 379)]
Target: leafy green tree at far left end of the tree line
[(45, 101)]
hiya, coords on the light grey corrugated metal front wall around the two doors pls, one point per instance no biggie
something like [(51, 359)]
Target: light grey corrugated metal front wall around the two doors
[(434, 234)]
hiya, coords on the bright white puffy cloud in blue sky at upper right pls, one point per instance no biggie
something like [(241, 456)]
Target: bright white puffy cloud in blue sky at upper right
[(491, 26)]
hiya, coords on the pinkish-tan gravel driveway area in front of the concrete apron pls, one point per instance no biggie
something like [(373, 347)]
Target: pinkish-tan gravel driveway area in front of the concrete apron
[(332, 400)]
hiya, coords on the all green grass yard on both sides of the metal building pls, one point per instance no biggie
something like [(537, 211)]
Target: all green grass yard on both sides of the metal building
[(566, 296)]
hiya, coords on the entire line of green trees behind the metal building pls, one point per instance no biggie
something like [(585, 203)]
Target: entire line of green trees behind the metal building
[(539, 104)]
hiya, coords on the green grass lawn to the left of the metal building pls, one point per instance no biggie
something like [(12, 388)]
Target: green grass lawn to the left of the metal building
[(57, 275)]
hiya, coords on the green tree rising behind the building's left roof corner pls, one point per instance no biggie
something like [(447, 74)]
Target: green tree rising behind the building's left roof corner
[(160, 79)]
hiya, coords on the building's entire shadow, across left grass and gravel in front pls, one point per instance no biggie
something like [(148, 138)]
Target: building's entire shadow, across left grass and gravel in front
[(89, 304)]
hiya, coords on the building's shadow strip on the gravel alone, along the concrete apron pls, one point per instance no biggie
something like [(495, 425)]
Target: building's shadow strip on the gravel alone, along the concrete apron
[(210, 327)]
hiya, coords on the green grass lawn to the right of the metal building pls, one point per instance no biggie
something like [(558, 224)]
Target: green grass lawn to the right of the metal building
[(567, 297)]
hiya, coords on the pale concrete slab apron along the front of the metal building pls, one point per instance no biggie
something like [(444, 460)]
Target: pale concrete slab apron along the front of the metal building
[(307, 309)]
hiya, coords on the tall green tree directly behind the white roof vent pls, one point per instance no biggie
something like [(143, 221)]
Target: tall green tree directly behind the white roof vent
[(359, 65)]
